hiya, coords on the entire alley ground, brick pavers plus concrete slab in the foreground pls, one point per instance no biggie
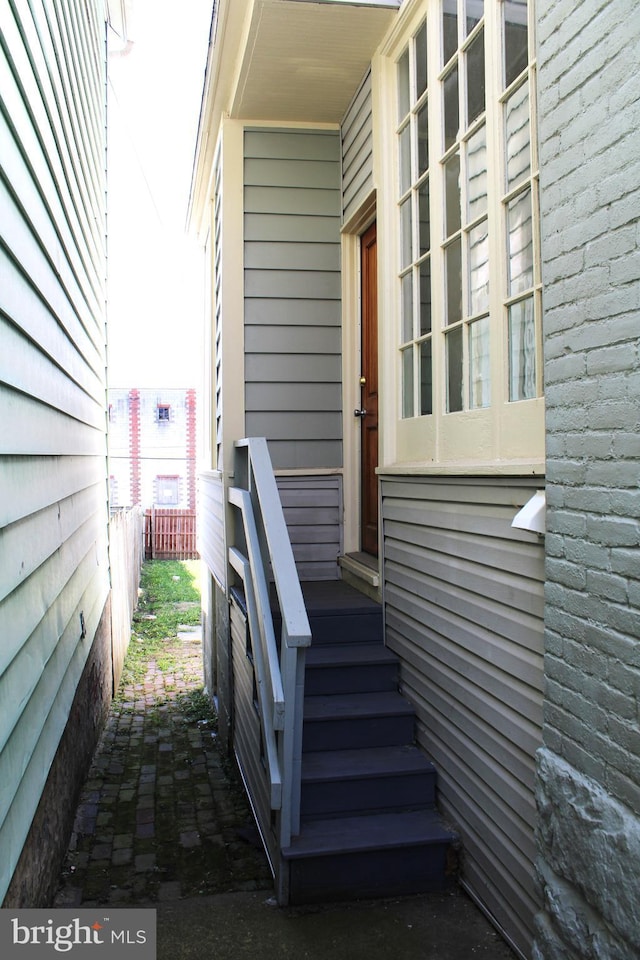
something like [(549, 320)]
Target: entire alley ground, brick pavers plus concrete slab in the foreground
[(163, 822)]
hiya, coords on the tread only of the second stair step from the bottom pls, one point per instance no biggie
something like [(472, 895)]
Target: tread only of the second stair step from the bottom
[(363, 762)]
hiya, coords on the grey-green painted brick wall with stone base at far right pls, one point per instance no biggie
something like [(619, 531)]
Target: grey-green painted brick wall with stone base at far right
[(589, 767)]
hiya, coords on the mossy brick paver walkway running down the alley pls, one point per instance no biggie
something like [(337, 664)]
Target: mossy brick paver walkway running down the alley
[(162, 815)]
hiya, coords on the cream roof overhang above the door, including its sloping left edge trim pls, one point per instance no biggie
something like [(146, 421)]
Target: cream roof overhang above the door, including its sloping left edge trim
[(295, 61)]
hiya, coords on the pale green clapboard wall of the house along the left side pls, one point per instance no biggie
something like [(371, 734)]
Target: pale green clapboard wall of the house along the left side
[(54, 579)]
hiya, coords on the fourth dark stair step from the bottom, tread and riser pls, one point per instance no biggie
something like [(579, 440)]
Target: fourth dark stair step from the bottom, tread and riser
[(351, 667)]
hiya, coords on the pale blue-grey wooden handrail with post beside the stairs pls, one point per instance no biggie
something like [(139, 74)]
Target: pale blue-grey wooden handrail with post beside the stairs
[(279, 675)]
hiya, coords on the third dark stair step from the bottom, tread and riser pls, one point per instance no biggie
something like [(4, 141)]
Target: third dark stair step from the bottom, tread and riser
[(381, 718)]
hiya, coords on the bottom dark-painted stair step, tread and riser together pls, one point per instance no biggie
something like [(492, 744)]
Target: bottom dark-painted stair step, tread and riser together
[(368, 856)]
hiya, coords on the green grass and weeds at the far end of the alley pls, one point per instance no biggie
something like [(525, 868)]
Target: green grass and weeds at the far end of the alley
[(169, 599)]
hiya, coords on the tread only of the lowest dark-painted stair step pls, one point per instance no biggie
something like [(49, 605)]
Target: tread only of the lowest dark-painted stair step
[(368, 832)]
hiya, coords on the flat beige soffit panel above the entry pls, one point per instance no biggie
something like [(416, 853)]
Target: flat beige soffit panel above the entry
[(303, 61)]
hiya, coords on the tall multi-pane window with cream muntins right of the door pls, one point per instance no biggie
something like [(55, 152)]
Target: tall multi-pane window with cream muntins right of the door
[(462, 205)]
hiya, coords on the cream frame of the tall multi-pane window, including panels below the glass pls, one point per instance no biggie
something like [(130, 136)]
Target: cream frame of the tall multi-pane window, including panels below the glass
[(505, 436)]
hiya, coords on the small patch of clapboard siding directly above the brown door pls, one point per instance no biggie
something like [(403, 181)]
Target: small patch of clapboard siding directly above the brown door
[(357, 151)]
